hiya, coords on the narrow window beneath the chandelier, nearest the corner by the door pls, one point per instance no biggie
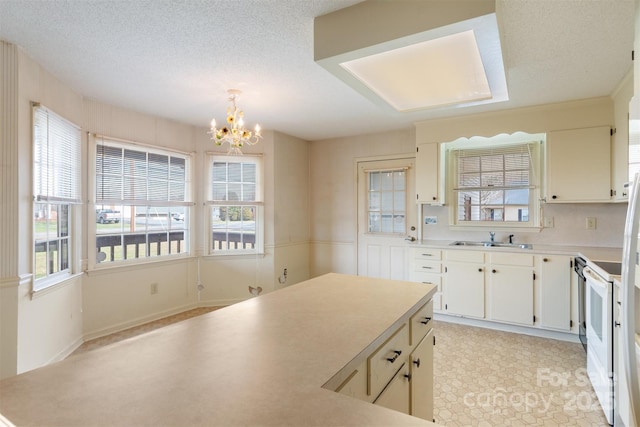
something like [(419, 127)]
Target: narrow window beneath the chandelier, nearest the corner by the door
[(235, 204)]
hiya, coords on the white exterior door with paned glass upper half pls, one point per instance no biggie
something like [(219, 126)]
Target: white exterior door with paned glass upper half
[(386, 217)]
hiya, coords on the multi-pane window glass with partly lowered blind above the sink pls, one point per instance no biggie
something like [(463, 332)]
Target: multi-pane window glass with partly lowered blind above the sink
[(494, 184)]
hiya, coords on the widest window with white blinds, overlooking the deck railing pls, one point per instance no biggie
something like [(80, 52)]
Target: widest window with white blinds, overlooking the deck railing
[(142, 202)]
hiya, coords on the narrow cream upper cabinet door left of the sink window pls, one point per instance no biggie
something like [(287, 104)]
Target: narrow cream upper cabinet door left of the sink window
[(427, 173)]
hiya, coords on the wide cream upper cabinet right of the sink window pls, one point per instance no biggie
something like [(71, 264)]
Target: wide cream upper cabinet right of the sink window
[(579, 165)]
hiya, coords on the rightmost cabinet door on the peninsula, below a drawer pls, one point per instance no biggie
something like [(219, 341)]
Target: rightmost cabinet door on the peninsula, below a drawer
[(422, 378)]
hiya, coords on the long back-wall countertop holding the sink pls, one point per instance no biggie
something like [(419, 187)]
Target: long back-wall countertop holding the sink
[(593, 253)]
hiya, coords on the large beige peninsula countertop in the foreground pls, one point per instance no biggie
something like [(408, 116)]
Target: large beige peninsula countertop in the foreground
[(260, 362)]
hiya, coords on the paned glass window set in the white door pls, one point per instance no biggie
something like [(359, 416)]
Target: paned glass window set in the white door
[(386, 201)]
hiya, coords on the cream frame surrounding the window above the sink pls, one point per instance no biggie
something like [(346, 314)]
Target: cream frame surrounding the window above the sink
[(535, 144)]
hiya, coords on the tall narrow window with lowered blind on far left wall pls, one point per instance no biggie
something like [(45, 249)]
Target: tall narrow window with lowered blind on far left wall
[(56, 189)]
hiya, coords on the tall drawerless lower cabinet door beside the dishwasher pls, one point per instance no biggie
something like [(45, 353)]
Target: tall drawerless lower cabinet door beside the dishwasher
[(555, 292)]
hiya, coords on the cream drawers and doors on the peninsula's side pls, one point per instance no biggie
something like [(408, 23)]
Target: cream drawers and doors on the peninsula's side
[(398, 374)]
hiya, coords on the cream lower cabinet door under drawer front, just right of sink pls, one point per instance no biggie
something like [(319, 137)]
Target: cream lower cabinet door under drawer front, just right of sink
[(511, 293)]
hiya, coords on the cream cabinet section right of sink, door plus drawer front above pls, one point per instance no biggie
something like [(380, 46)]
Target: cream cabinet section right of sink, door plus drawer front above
[(510, 287)]
